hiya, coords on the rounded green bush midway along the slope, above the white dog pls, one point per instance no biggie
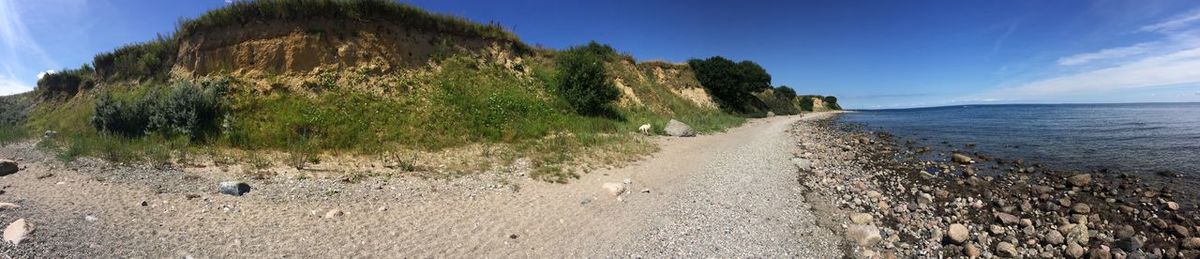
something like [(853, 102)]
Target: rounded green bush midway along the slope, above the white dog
[(584, 81)]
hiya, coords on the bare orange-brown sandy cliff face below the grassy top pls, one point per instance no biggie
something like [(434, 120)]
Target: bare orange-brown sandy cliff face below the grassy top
[(277, 49)]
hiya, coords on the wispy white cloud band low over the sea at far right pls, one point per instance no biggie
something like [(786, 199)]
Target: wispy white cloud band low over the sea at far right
[(1173, 69)]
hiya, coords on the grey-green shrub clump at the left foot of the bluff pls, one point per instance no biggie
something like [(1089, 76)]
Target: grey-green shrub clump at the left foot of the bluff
[(185, 110)]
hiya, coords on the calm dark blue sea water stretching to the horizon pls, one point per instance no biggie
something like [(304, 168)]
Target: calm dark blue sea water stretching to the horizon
[(1137, 138)]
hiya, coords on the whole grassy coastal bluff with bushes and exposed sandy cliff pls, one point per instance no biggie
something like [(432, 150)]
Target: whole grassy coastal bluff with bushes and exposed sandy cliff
[(483, 89)]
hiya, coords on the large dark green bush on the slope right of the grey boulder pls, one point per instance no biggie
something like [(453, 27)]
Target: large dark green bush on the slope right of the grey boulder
[(733, 85)]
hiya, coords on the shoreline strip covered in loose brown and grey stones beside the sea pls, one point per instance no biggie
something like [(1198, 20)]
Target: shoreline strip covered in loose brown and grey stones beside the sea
[(893, 200)]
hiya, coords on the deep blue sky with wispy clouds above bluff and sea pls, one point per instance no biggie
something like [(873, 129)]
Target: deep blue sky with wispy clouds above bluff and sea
[(872, 55)]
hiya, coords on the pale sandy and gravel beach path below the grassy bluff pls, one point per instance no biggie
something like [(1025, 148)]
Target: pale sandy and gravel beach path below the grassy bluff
[(730, 195)]
